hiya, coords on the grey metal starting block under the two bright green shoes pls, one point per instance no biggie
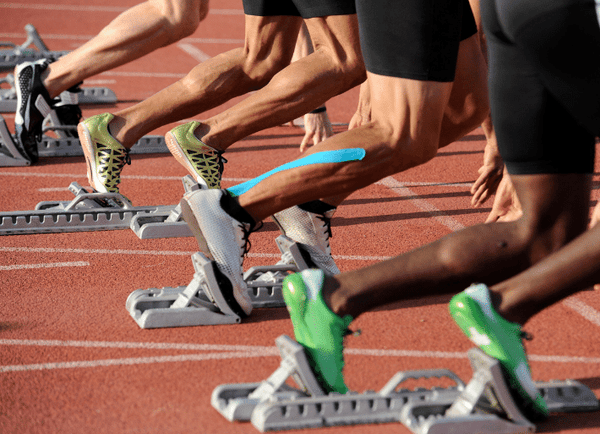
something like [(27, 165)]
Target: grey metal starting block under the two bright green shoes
[(483, 406)]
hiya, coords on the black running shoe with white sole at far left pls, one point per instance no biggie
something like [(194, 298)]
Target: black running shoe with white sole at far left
[(33, 105)]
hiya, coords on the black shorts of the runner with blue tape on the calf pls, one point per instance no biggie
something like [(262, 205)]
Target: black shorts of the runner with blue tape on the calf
[(414, 39)]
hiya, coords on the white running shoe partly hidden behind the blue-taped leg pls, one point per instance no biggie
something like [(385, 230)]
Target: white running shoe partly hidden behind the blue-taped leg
[(311, 229)]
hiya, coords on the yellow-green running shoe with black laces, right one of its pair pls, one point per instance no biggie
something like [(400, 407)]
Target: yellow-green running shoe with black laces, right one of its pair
[(204, 163)]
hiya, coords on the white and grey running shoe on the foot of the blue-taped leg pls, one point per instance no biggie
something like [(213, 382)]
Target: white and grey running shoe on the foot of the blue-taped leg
[(222, 239)]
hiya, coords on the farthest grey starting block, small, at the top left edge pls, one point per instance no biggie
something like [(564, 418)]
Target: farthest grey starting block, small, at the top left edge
[(29, 51)]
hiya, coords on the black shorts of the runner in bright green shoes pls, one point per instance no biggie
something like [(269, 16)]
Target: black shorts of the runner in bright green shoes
[(544, 83)]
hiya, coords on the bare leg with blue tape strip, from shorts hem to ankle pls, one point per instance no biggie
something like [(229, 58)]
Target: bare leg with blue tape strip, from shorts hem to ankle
[(407, 117)]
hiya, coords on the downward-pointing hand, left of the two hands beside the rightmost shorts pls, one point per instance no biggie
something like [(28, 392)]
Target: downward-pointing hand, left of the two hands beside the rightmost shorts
[(490, 175)]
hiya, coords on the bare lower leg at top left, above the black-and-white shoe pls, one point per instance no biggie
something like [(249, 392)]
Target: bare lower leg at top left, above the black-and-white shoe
[(133, 34)]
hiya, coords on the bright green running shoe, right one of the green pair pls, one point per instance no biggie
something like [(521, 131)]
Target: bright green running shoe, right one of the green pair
[(473, 312)]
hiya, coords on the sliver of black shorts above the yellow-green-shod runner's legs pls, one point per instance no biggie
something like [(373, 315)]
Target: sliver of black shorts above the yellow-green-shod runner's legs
[(299, 8)]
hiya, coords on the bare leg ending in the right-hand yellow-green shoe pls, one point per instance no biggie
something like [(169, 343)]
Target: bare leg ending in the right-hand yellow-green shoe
[(334, 67)]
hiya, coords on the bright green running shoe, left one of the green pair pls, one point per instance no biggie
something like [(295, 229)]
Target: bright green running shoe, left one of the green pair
[(317, 328)]
